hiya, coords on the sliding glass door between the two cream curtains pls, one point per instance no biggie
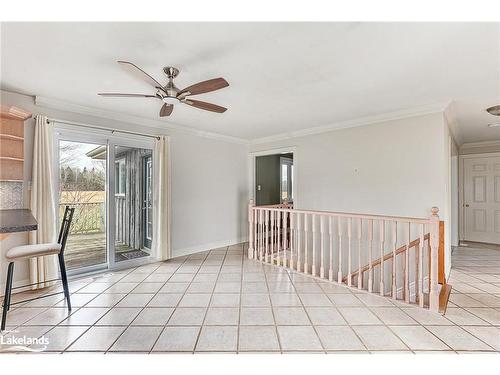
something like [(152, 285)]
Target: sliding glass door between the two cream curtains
[(109, 182)]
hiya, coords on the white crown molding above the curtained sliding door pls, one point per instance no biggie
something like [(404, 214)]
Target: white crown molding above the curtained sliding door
[(131, 119)]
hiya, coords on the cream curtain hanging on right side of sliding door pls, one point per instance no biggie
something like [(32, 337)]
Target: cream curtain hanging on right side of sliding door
[(161, 233)]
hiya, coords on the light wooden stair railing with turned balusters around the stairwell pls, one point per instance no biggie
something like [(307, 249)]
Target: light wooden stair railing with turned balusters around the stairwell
[(340, 247)]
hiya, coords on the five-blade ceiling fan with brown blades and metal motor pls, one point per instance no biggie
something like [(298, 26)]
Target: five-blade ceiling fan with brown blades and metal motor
[(169, 94)]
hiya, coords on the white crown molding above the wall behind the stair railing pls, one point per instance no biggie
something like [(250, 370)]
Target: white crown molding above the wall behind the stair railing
[(362, 121)]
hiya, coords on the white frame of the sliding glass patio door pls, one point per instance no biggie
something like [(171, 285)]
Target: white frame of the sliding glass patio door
[(72, 133)]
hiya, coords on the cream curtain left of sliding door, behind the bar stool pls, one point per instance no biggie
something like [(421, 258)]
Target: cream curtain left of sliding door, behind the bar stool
[(42, 201)]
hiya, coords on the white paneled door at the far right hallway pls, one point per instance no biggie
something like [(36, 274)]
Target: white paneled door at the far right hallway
[(482, 199)]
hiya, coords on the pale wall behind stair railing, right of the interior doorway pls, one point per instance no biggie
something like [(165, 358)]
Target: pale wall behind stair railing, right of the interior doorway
[(392, 168)]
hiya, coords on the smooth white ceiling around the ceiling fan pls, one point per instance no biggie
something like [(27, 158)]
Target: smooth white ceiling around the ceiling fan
[(284, 77)]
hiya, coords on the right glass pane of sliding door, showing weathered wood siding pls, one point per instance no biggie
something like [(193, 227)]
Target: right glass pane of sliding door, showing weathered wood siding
[(132, 202)]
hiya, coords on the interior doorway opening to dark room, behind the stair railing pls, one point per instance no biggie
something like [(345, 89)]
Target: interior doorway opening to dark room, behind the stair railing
[(274, 179)]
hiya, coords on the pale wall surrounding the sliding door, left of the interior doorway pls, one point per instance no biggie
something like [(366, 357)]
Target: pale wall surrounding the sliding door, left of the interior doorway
[(209, 182)]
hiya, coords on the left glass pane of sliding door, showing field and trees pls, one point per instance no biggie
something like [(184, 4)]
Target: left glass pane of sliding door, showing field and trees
[(82, 184)]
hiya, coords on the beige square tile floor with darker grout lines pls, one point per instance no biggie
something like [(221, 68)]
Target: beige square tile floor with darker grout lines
[(219, 301)]
